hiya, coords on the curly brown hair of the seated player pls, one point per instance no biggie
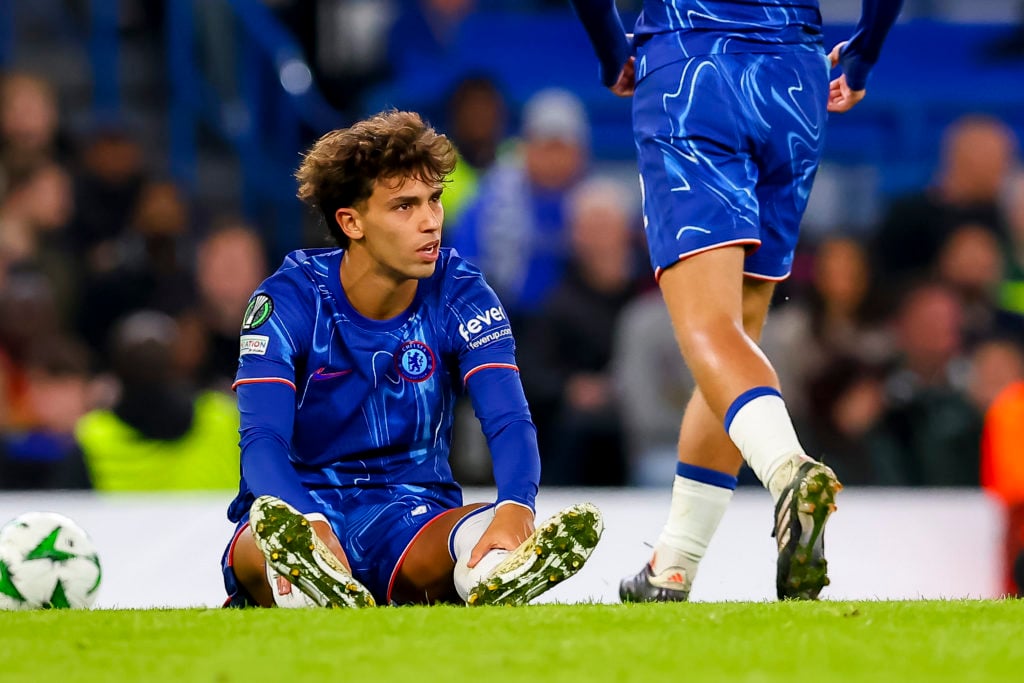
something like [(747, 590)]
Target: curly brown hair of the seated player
[(343, 166)]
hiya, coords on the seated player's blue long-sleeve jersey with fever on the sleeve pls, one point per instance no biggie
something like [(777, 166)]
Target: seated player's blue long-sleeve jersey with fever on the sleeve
[(332, 401)]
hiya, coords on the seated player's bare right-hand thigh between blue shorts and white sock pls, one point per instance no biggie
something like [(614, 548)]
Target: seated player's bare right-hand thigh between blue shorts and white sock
[(425, 572)]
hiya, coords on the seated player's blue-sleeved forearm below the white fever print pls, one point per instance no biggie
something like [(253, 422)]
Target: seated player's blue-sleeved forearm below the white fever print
[(501, 407)]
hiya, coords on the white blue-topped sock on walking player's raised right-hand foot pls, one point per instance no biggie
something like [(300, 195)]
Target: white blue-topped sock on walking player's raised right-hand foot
[(763, 432)]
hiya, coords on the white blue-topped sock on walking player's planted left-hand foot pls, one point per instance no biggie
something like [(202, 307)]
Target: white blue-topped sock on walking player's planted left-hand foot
[(696, 513)]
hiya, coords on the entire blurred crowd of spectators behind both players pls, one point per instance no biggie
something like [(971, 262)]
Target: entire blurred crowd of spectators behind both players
[(120, 304)]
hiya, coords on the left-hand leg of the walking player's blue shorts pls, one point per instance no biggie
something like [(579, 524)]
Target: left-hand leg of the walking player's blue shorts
[(697, 173)]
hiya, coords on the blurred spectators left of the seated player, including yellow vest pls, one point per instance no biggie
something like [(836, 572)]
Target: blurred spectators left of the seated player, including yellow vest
[(119, 311)]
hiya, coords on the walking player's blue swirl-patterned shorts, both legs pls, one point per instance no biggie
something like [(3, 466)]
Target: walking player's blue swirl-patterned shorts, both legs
[(729, 146)]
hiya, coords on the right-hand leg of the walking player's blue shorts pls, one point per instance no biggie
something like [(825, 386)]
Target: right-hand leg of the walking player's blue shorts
[(789, 156)]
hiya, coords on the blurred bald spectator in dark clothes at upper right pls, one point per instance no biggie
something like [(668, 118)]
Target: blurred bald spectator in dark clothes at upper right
[(978, 154)]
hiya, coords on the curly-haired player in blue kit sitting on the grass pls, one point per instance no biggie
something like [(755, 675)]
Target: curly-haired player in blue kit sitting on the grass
[(351, 363)]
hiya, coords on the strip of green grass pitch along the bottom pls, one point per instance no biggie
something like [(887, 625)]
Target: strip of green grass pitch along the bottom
[(734, 642)]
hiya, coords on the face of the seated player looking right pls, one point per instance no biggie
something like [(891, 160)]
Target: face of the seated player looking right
[(402, 227)]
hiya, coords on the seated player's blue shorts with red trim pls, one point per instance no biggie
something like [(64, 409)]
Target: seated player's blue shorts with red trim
[(375, 527)]
